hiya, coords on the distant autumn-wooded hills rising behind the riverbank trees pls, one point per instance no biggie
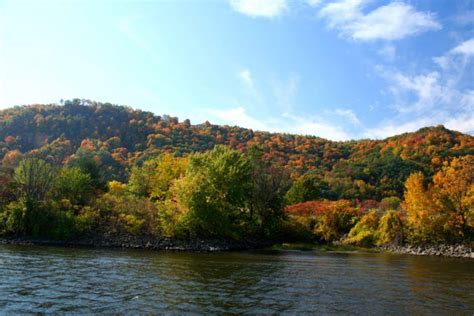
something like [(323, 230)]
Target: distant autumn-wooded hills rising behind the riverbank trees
[(119, 137)]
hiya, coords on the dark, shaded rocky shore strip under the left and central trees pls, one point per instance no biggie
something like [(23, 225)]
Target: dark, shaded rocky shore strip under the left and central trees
[(135, 242)]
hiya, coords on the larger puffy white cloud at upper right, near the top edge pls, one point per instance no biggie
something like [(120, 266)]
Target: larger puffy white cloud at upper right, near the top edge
[(394, 21)]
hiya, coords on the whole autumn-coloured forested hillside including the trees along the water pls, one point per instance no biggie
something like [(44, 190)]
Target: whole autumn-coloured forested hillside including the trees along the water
[(102, 165)]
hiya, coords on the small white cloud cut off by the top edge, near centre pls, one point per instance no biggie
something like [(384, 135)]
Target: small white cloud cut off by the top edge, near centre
[(260, 8)]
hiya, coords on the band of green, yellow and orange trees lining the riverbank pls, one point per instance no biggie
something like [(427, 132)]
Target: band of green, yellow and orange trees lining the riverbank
[(224, 193)]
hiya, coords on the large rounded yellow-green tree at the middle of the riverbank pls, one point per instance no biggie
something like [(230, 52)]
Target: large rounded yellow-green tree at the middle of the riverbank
[(213, 197)]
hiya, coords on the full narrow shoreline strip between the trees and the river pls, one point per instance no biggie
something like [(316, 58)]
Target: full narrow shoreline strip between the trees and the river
[(215, 245)]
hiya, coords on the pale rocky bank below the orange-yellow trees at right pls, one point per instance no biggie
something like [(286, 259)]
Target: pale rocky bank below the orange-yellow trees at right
[(443, 250)]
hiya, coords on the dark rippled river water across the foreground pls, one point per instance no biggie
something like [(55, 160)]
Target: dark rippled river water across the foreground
[(67, 280)]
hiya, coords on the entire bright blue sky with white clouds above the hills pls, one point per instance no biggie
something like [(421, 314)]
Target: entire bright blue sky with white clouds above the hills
[(344, 69)]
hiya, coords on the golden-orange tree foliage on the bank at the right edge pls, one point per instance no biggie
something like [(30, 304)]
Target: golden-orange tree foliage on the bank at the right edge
[(445, 210)]
